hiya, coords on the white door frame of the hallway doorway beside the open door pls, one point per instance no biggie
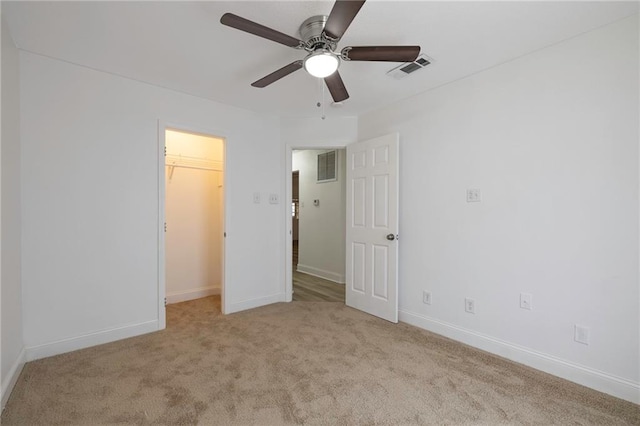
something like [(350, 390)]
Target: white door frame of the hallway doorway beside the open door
[(289, 148)]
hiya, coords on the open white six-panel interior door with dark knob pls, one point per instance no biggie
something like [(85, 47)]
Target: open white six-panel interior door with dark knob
[(372, 227)]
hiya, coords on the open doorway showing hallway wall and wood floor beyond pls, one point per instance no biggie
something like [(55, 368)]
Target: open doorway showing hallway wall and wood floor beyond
[(318, 211)]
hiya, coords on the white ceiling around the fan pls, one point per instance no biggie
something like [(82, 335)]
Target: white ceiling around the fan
[(183, 46)]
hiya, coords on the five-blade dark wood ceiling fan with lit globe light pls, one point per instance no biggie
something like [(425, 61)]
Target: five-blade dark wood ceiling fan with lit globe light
[(320, 36)]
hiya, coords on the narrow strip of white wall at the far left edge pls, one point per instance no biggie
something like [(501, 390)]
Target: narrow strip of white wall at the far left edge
[(12, 353)]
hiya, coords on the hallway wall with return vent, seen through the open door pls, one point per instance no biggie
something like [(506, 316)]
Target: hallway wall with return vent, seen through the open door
[(321, 247)]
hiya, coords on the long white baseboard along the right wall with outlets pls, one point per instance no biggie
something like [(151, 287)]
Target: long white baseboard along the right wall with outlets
[(594, 379)]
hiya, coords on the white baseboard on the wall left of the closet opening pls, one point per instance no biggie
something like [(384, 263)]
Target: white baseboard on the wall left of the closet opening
[(91, 339)]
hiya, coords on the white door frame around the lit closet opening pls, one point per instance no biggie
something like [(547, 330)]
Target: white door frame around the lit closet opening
[(163, 126)]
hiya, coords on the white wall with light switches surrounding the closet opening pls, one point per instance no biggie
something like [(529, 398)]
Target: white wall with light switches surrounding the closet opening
[(90, 181)]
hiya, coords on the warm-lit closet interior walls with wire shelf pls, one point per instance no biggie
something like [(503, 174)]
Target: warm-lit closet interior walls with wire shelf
[(194, 208)]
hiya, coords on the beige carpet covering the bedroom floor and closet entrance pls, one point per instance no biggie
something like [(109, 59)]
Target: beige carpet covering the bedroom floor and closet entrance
[(296, 363)]
